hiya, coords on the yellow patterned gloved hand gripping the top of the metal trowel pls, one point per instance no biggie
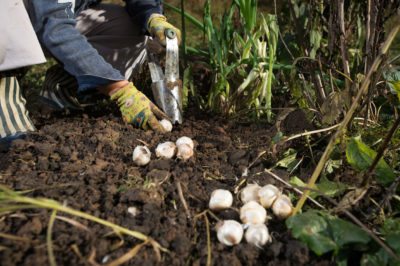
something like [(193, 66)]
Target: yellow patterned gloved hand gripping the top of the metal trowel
[(158, 24)]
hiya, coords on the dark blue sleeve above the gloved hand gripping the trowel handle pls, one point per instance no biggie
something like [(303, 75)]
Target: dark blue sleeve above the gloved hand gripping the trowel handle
[(141, 10)]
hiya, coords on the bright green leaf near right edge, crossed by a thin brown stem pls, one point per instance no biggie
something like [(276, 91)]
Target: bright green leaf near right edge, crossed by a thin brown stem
[(360, 156)]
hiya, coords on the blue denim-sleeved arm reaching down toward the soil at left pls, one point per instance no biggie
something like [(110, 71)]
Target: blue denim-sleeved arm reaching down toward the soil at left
[(54, 24)]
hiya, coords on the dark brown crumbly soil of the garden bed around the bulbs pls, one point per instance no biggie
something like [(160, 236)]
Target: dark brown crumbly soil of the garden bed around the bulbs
[(85, 162)]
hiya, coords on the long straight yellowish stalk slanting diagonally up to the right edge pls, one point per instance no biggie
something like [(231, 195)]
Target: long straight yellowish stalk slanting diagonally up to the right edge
[(364, 88)]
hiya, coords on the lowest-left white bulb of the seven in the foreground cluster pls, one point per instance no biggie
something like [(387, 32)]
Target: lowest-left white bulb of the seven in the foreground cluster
[(229, 232)]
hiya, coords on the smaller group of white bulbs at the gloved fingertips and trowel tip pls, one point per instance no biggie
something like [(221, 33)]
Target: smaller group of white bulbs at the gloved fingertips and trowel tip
[(182, 148)]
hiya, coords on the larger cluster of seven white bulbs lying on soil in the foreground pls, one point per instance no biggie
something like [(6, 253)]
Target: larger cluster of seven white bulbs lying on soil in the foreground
[(253, 213)]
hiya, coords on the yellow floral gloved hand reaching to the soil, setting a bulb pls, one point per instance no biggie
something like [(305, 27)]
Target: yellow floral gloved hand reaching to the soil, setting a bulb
[(137, 109)]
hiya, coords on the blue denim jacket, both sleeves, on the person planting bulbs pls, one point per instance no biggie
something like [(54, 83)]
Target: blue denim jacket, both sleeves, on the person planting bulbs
[(54, 23)]
